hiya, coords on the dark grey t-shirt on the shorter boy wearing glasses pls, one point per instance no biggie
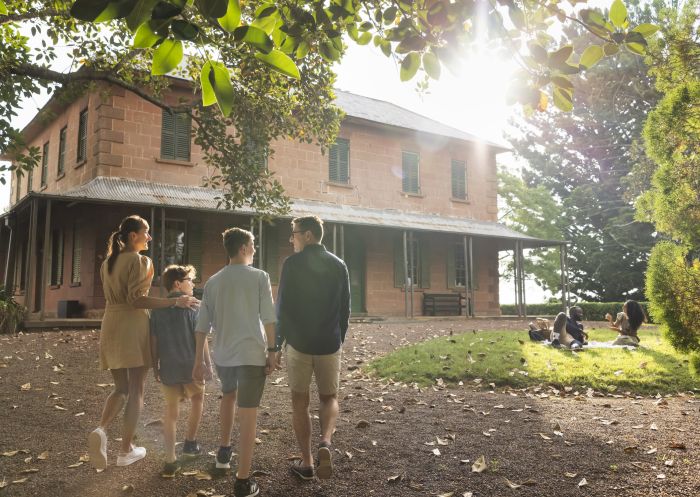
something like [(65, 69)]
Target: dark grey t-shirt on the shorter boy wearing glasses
[(174, 329)]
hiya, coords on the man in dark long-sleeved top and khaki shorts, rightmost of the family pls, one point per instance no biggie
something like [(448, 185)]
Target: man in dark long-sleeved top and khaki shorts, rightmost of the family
[(313, 311)]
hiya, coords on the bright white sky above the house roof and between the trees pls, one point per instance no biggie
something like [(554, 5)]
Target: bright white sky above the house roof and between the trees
[(473, 101)]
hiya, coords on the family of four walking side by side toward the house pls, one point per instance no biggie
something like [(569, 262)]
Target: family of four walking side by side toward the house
[(311, 320)]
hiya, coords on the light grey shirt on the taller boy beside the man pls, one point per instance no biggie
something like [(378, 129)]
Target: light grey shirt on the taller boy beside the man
[(237, 302)]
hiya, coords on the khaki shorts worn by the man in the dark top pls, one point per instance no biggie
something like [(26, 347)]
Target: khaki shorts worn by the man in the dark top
[(325, 368)]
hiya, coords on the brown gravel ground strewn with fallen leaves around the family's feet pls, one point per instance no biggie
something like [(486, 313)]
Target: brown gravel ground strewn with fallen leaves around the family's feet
[(551, 443)]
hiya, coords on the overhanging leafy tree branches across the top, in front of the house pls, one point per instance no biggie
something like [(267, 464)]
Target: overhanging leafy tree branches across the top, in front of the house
[(267, 64)]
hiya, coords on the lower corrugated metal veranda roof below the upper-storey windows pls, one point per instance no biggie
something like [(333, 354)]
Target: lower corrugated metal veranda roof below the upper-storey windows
[(190, 197)]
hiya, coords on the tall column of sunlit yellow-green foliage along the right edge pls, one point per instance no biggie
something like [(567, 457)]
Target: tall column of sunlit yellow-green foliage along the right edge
[(672, 138)]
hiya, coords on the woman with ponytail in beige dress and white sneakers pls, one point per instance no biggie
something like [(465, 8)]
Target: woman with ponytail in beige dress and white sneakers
[(124, 336)]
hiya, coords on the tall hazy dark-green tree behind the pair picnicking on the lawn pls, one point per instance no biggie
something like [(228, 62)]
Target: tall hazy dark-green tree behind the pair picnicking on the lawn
[(582, 159)]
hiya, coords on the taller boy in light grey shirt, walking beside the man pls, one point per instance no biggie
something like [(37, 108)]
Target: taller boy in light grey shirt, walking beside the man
[(237, 306)]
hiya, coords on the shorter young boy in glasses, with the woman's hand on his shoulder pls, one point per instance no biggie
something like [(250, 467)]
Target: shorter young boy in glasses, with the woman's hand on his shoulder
[(173, 350)]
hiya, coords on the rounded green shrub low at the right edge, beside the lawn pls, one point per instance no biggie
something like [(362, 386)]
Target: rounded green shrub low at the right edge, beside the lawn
[(673, 288)]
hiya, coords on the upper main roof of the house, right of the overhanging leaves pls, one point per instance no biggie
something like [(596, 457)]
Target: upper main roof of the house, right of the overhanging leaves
[(383, 112)]
